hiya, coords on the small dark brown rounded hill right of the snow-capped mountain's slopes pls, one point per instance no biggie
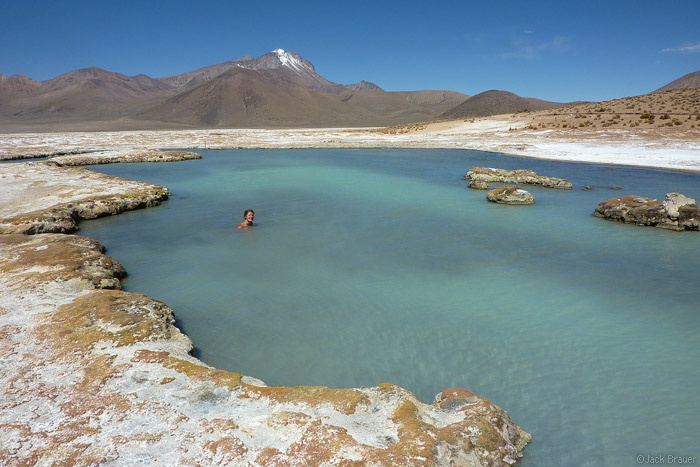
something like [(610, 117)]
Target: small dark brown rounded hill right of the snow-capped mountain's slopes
[(496, 102)]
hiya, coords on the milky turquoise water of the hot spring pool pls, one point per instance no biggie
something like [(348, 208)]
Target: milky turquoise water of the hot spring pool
[(368, 266)]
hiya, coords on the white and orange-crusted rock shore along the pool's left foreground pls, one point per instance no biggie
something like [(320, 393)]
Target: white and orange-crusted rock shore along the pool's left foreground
[(90, 374)]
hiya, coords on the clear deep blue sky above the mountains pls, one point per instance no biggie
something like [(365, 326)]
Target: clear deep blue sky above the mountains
[(553, 50)]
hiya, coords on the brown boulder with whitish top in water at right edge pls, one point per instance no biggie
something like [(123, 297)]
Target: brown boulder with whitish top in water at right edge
[(676, 212)]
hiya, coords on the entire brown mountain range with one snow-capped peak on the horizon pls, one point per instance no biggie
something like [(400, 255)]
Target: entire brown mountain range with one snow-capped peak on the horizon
[(279, 89)]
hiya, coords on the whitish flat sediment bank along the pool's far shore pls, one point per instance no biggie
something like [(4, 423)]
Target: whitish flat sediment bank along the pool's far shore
[(657, 148)]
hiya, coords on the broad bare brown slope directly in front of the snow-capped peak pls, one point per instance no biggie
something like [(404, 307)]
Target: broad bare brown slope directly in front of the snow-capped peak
[(263, 98)]
